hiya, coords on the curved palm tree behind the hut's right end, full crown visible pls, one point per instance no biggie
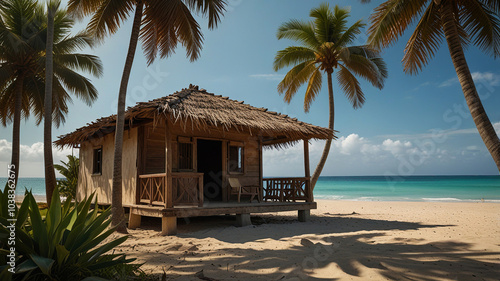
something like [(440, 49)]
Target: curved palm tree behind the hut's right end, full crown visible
[(326, 47)]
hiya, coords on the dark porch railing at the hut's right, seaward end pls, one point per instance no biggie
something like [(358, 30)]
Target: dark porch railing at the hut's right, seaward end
[(287, 189)]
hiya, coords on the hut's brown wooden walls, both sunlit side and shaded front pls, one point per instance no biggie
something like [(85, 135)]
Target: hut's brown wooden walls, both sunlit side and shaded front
[(152, 155)]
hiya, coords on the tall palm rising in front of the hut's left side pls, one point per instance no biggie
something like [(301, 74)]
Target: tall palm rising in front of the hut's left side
[(161, 25)]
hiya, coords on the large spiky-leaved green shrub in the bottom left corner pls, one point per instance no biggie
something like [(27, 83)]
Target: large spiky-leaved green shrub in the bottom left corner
[(65, 245)]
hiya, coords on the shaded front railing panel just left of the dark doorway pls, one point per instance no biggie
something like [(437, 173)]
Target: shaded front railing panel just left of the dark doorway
[(187, 189)]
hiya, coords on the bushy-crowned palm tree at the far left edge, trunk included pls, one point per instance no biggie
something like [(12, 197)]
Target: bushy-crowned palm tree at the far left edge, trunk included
[(23, 33)]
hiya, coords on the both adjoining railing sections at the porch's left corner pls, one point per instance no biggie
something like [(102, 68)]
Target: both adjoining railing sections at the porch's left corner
[(187, 189)]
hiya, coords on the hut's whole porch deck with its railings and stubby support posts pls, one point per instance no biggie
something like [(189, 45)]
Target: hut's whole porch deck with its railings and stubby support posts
[(277, 195)]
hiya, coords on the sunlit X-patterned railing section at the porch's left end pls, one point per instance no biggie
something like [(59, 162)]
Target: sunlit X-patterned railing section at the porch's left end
[(152, 189)]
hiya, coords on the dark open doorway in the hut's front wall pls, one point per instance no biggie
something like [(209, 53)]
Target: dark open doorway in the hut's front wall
[(210, 164)]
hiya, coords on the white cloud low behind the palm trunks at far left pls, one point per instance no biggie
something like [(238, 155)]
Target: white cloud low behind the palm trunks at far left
[(31, 158)]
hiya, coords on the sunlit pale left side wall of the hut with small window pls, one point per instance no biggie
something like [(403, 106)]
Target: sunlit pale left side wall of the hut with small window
[(88, 183)]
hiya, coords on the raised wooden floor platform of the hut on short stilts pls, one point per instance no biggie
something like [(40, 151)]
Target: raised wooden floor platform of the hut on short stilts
[(241, 210)]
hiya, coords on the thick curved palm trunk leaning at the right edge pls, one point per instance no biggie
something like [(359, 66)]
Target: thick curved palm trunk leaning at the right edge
[(478, 113)]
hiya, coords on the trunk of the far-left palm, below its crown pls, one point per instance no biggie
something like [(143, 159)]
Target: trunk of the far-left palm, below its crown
[(16, 131)]
